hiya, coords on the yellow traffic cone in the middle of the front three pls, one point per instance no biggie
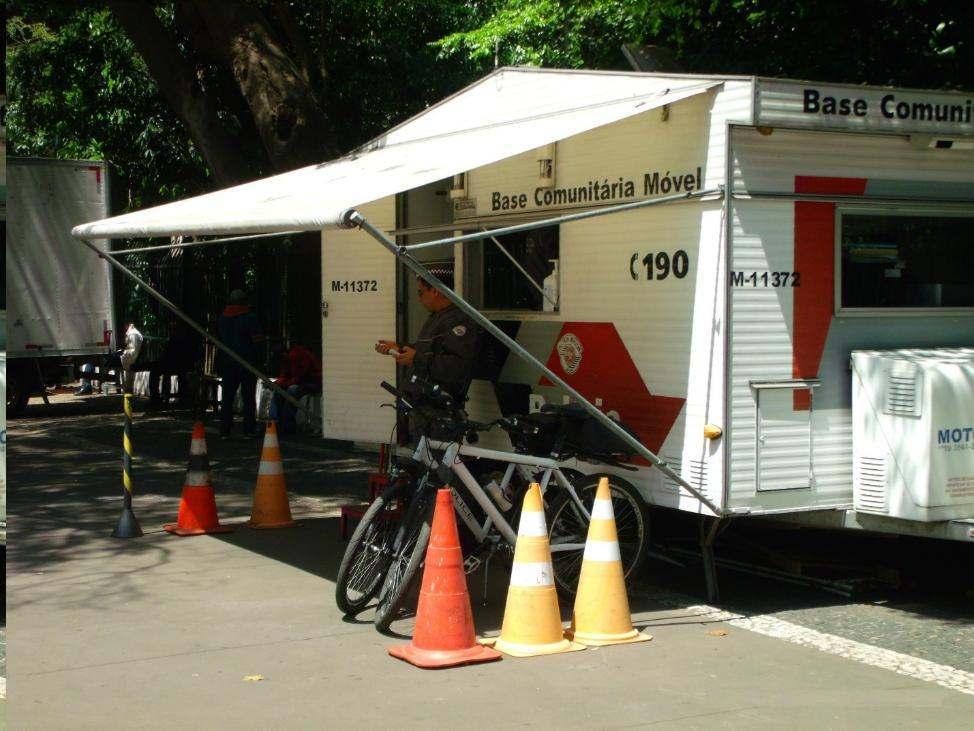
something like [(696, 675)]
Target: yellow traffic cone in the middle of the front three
[(532, 620)]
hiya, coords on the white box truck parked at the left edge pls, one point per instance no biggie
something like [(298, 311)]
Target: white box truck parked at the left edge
[(59, 296)]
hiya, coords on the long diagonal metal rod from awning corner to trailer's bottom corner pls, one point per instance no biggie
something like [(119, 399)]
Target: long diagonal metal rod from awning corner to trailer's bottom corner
[(354, 218)]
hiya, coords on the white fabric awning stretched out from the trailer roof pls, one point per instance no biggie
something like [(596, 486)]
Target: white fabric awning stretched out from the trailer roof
[(506, 113)]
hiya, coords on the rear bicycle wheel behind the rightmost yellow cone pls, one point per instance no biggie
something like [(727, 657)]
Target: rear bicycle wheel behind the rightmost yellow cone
[(568, 526)]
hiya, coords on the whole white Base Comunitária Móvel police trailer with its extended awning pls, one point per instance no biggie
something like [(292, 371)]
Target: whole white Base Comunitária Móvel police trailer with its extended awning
[(813, 221)]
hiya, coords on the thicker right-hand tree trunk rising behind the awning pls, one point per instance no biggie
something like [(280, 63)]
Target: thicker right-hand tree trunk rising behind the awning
[(287, 114)]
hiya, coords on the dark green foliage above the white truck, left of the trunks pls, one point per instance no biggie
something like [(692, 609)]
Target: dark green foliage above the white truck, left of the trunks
[(77, 90)]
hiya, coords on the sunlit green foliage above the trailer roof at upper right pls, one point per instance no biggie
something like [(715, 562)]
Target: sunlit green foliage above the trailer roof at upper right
[(912, 43)]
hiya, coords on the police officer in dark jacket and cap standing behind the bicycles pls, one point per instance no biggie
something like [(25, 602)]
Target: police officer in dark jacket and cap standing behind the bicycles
[(446, 349)]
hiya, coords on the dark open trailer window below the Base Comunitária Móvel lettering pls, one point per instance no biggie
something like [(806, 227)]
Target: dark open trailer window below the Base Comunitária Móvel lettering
[(514, 272)]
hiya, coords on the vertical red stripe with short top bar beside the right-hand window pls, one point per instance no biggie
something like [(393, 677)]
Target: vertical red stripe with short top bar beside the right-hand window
[(814, 302)]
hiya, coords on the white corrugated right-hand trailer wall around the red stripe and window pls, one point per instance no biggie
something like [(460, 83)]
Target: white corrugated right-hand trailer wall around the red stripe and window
[(762, 336)]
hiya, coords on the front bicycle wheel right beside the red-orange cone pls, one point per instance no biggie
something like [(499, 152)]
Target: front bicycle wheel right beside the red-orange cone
[(408, 553)]
